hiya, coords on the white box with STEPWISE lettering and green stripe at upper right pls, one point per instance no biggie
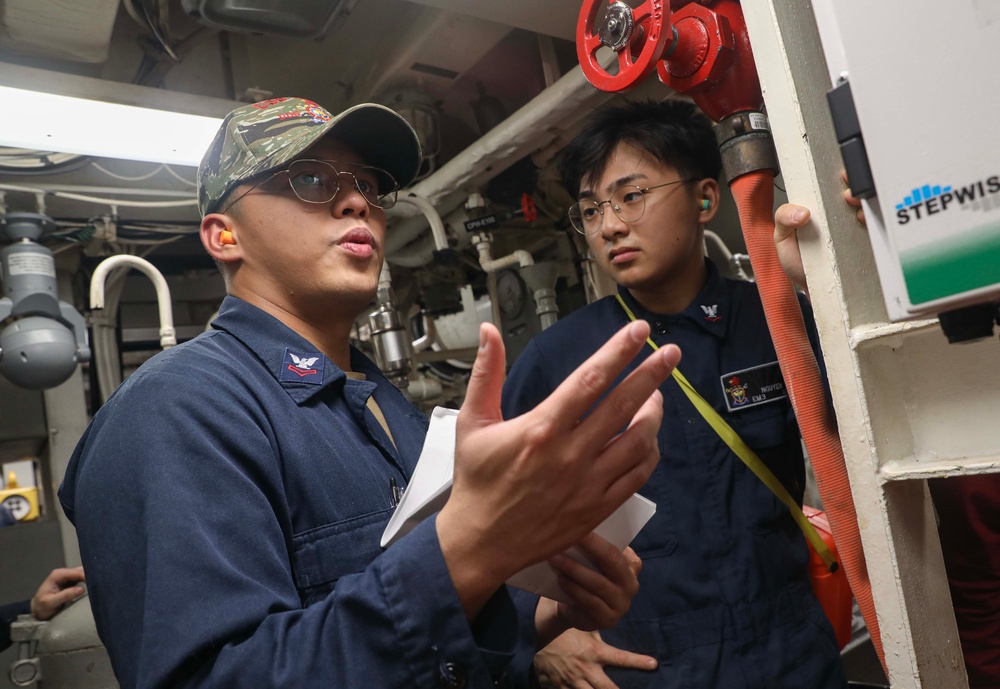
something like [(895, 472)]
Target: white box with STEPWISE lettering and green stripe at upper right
[(925, 80)]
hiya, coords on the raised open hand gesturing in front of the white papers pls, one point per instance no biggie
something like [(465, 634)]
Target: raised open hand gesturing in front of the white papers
[(528, 488)]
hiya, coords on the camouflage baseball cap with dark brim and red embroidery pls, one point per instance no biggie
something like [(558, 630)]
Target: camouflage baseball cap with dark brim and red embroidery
[(257, 138)]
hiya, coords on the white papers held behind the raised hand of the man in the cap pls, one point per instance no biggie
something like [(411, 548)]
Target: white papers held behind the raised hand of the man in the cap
[(430, 486)]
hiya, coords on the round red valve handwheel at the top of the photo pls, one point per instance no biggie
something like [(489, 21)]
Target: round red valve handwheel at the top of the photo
[(626, 30)]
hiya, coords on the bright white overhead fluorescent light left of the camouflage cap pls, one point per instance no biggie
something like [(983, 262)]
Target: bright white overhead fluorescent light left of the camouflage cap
[(64, 124)]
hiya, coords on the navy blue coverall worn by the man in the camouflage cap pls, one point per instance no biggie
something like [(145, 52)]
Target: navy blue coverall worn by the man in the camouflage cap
[(229, 500)]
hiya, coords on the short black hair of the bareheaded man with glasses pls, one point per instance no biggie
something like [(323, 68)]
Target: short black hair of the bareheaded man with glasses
[(675, 132)]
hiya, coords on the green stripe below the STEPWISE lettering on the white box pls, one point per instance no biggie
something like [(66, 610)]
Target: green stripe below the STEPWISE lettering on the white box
[(958, 264)]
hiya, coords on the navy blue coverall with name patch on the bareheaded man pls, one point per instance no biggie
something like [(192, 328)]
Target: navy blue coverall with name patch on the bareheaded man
[(724, 600)]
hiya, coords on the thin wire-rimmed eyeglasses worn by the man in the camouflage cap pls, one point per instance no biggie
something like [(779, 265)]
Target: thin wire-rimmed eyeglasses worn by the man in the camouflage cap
[(318, 181)]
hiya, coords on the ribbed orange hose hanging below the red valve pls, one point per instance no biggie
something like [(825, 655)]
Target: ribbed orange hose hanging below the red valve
[(754, 193)]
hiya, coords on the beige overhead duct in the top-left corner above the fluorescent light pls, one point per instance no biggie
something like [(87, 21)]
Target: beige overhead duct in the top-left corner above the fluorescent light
[(78, 30)]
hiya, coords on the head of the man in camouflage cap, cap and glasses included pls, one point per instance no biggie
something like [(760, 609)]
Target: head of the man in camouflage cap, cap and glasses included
[(293, 200)]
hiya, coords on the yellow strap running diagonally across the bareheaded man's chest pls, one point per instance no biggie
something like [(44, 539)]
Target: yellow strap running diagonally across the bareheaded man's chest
[(749, 457)]
